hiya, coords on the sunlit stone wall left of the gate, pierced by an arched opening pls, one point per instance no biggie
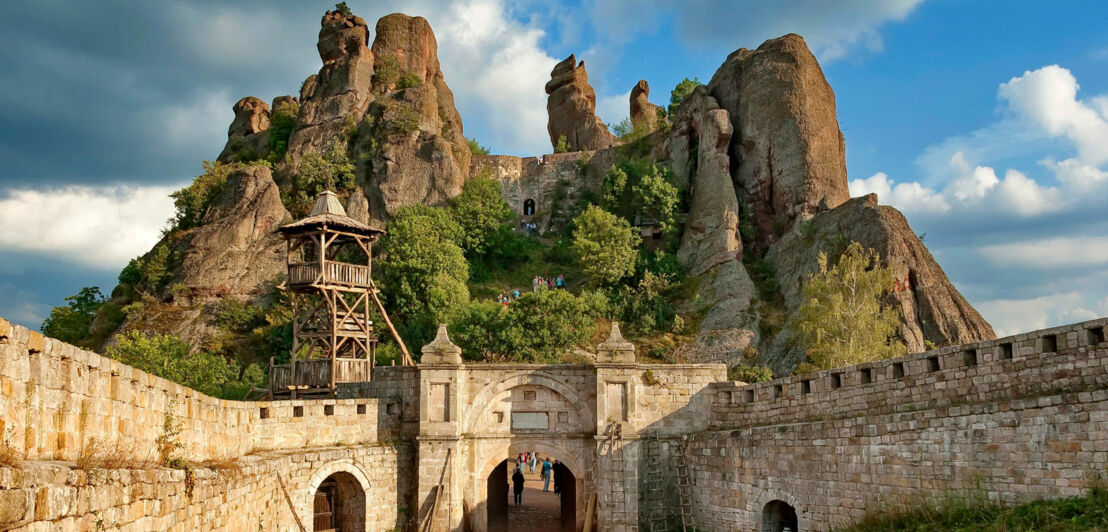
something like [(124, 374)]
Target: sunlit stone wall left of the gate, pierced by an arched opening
[(56, 398)]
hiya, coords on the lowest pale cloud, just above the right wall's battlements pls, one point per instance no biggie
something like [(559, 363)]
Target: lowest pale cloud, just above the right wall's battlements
[(1014, 316)]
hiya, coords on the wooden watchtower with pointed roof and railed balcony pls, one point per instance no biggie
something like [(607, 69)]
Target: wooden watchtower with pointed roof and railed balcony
[(330, 260)]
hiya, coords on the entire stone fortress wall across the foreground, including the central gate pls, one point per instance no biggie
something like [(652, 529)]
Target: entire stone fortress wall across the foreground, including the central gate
[(1022, 417)]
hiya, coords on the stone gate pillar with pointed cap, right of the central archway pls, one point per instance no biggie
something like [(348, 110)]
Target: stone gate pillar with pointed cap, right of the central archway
[(618, 448)]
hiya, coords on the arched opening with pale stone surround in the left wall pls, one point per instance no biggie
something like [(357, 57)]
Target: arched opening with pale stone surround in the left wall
[(337, 498)]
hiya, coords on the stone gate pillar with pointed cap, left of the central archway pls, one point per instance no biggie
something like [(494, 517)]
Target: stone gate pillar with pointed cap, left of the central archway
[(440, 466)]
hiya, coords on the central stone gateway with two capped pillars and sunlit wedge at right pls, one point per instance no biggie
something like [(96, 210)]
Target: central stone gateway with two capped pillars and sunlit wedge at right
[(475, 421)]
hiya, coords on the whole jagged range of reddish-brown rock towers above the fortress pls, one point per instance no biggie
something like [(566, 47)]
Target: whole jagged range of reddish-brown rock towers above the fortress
[(758, 154)]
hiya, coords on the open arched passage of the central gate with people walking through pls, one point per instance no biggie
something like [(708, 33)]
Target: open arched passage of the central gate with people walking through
[(539, 510)]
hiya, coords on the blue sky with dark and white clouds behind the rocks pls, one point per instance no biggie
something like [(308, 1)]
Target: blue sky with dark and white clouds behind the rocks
[(986, 122)]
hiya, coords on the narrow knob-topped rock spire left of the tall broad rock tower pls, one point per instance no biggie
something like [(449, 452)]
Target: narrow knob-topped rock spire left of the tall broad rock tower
[(341, 90)]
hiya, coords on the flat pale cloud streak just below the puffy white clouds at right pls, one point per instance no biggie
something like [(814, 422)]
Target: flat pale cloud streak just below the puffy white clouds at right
[(1051, 253)]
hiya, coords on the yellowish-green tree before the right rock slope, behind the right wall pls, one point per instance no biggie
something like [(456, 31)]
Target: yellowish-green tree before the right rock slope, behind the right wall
[(844, 320)]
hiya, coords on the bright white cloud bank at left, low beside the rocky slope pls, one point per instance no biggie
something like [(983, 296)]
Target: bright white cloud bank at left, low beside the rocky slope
[(102, 227)]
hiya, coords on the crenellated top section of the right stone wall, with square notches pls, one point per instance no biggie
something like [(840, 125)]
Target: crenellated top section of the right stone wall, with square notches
[(1058, 361)]
